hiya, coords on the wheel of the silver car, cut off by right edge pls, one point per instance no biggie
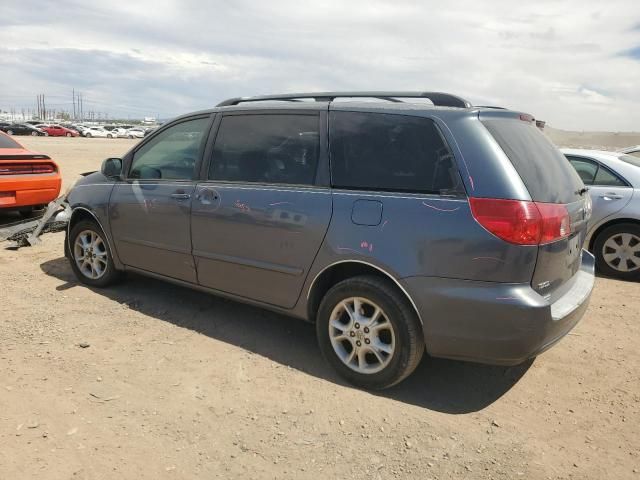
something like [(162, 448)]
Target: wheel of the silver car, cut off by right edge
[(617, 248)]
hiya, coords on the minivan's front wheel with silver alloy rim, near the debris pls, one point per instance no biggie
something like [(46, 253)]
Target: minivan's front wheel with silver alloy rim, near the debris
[(90, 274)]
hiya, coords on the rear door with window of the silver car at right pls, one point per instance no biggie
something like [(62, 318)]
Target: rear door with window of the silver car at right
[(609, 193)]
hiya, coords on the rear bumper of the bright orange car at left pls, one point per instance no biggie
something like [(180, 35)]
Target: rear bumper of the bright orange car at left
[(28, 190)]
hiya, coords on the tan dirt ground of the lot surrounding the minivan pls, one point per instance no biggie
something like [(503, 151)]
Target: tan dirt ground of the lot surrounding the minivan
[(177, 384)]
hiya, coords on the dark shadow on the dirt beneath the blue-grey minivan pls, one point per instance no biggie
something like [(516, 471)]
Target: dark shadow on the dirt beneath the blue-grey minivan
[(442, 385)]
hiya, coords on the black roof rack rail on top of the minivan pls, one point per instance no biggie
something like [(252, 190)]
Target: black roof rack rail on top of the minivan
[(438, 98)]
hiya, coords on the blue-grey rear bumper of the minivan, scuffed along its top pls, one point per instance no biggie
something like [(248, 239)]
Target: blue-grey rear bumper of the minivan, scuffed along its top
[(497, 323)]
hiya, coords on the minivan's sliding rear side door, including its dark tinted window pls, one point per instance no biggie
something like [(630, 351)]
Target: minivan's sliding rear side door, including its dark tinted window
[(261, 215)]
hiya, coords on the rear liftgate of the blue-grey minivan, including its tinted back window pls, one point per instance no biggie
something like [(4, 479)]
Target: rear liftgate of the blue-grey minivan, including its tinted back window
[(549, 178)]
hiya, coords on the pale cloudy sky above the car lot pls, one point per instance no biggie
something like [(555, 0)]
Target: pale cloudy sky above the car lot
[(573, 63)]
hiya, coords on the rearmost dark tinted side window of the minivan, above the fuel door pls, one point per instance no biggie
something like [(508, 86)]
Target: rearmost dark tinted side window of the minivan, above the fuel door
[(373, 151)]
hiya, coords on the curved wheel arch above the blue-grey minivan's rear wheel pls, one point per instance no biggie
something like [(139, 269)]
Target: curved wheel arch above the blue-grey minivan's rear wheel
[(341, 270)]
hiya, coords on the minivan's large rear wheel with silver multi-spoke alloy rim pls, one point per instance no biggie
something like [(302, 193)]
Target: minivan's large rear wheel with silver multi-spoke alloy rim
[(399, 333)]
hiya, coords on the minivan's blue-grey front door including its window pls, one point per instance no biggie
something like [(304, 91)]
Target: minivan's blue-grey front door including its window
[(150, 211)]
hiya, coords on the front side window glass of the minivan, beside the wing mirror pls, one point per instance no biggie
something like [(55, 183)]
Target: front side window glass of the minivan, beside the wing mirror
[(172, 154)]
